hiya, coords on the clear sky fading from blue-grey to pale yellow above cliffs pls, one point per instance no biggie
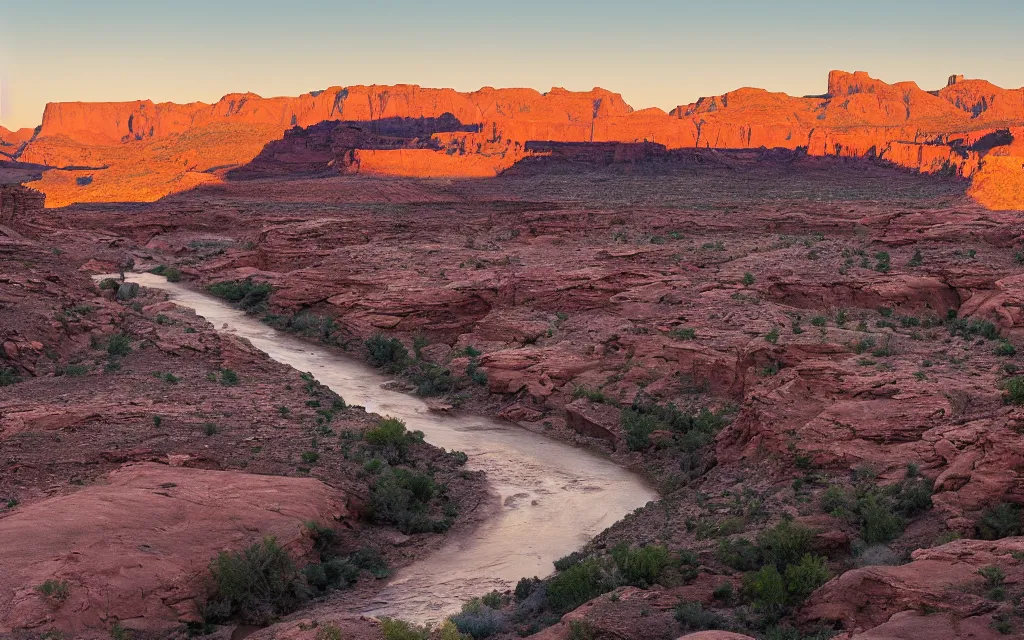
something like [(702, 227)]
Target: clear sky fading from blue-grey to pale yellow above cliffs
[(656, 54)]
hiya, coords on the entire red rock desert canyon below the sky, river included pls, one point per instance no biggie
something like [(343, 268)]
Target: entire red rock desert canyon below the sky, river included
[(400, 363)]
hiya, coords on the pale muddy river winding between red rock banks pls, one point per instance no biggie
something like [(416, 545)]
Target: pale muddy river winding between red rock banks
[(554, 497)]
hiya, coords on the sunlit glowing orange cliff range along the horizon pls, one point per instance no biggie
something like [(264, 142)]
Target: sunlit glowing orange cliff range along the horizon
[(143, 151)]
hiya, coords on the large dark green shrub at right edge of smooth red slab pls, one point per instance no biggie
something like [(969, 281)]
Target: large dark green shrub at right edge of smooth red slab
[(255, 585)]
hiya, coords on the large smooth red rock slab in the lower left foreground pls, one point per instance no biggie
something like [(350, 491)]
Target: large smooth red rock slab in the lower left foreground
[(151, 574)]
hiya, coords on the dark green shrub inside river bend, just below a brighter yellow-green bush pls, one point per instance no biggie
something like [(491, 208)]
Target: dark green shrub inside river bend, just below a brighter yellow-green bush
[(402, 498)]
